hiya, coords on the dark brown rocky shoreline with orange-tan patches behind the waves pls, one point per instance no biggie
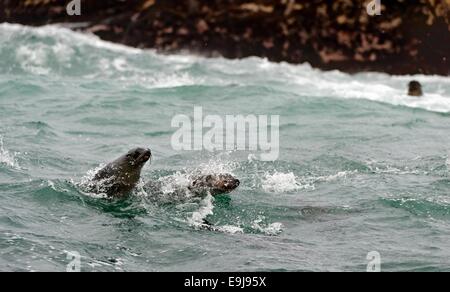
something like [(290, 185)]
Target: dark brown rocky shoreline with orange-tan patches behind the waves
[(409, 37)]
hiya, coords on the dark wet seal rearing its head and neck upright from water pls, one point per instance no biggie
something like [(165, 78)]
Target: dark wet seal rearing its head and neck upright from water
[(118, 178)]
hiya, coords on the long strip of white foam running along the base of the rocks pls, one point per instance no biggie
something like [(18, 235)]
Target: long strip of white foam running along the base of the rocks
[(301, 79)]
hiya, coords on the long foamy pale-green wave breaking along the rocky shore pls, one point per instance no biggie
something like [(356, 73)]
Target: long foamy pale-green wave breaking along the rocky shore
[(60, 51)]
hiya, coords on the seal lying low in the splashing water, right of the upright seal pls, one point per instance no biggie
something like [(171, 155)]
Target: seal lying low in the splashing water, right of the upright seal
[(198, 186)]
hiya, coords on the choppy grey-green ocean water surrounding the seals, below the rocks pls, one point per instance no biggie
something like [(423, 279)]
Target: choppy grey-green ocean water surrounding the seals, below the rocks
[(362, 166)]
